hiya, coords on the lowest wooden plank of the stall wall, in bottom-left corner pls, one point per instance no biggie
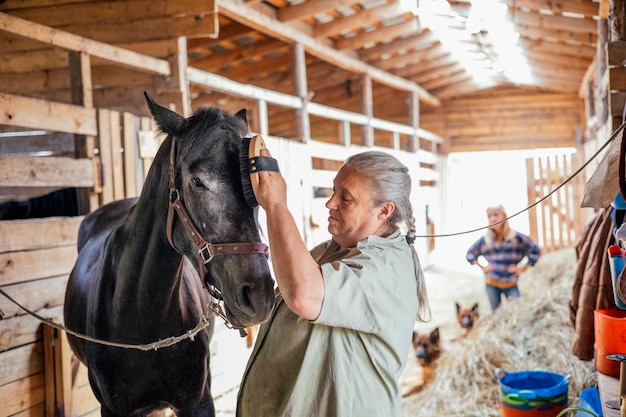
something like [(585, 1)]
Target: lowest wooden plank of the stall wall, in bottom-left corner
[(21, 395)]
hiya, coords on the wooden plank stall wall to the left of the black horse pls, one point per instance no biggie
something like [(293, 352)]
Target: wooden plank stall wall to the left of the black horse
[(37, 255)]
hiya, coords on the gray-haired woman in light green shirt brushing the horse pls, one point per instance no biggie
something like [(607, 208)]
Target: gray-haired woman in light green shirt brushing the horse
[(339, 336)]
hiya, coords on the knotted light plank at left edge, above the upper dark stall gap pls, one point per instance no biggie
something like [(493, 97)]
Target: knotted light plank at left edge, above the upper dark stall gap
[(42, 114)]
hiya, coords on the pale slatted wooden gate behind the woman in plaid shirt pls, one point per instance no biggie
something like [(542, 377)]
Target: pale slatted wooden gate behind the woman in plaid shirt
[(557, 220)]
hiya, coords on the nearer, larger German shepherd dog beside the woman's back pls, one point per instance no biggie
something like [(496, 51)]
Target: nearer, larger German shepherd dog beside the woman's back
[(427, 350)]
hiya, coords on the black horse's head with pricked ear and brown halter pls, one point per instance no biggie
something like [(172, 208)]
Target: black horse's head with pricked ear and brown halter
[(209, 221)]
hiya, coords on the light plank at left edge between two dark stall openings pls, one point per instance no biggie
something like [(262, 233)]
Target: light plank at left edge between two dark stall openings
[(49, 171)]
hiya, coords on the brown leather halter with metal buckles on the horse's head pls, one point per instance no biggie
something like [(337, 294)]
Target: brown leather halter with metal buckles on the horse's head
[(206, 251)]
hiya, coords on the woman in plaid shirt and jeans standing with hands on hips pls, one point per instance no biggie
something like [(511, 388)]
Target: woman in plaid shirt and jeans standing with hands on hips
[(504, 249)]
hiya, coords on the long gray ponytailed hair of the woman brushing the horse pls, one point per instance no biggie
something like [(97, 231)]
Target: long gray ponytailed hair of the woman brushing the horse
[(389, 180)]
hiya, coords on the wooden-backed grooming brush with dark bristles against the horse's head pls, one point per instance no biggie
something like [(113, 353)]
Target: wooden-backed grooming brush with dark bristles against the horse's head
[(251, 163)]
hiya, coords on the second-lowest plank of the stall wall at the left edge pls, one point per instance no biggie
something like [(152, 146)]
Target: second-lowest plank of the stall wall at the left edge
[(21, 362)]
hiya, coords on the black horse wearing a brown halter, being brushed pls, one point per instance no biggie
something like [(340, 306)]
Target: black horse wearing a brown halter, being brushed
[(138, 280)]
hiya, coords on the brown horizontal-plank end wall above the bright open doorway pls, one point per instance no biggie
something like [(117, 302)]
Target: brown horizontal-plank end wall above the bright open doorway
[(507, 118)]
